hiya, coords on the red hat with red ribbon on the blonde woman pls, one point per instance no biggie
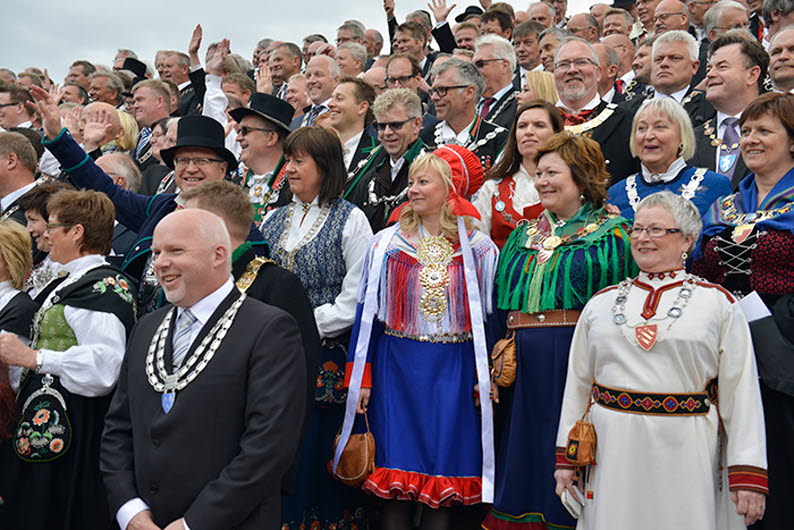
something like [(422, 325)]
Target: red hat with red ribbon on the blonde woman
[(467, 177)]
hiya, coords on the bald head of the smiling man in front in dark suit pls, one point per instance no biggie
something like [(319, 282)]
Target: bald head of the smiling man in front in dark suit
[(192, 255)]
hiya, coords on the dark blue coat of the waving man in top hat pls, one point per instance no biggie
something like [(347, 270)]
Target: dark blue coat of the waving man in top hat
[(139, 213)]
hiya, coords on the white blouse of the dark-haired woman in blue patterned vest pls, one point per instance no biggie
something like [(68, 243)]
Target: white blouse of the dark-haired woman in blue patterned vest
[(334, 318)]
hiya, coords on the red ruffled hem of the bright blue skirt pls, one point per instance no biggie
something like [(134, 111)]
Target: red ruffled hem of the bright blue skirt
[(435, 491)]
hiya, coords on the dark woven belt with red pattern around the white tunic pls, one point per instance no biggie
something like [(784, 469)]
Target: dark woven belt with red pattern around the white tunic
[(696, 404)]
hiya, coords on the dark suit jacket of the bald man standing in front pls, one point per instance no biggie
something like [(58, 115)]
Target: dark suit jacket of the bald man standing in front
[(219, 456)]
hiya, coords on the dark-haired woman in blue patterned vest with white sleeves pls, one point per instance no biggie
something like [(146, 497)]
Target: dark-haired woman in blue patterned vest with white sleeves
[(322, 239)]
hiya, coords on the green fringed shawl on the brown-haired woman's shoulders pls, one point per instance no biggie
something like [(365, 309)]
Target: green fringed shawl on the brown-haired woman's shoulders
[(572, 274)]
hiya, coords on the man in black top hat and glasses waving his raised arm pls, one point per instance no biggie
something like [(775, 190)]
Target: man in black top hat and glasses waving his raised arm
[(199, 156)]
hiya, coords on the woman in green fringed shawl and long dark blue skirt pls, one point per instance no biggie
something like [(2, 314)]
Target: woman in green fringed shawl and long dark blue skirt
[(549, 268)]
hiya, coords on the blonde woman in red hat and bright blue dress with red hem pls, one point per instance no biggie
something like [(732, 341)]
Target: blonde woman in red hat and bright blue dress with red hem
[(428, 281)]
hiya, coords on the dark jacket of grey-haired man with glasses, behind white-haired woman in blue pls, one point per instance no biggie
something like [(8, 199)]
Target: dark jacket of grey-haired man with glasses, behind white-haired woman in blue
[(613, 136)]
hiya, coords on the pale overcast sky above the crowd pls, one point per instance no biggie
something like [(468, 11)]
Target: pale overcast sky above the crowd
[(52, 34)]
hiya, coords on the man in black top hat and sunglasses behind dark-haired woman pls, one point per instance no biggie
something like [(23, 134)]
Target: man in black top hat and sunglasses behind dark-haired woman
[(261, 130)]
